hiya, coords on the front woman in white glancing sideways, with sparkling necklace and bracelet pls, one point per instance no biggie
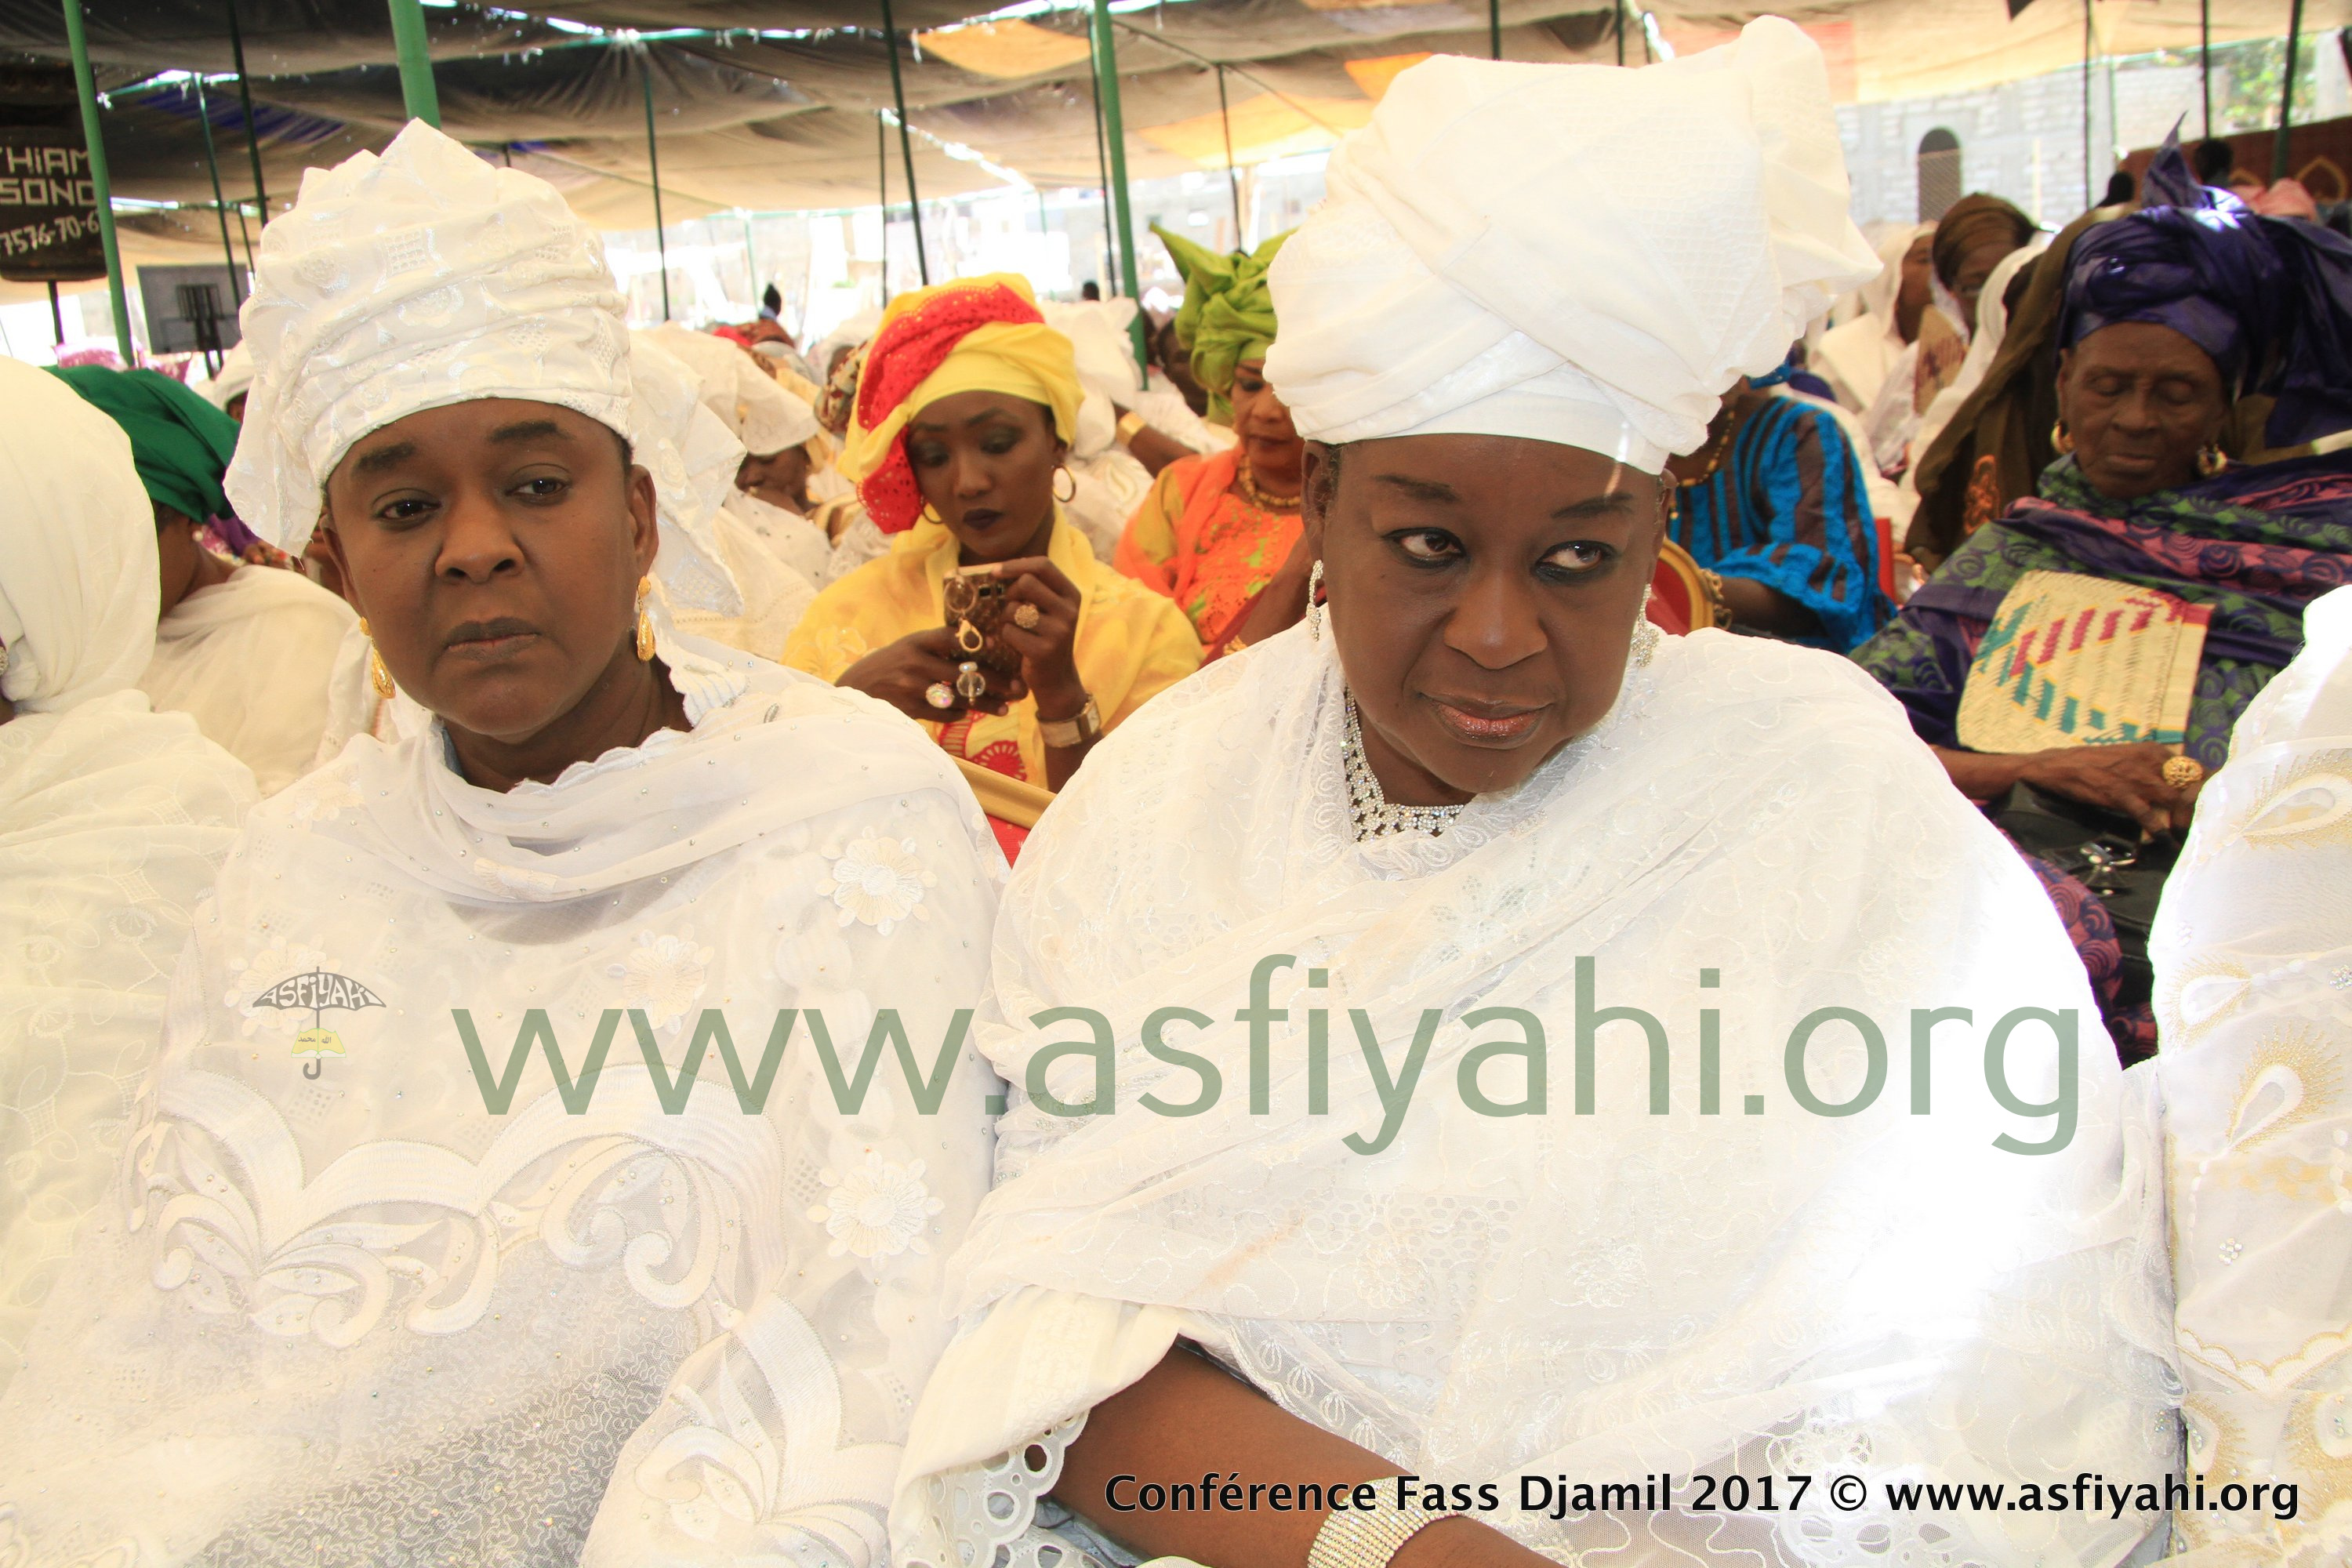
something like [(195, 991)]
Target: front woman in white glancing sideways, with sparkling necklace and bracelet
[(1302, 927)]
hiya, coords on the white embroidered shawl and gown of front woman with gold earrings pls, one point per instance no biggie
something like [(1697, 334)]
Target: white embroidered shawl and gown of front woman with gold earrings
[(359, 1320)]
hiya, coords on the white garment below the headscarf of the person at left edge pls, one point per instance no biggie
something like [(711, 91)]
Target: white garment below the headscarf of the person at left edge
[(112, 826)]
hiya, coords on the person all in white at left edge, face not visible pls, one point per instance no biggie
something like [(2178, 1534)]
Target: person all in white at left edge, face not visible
[(112, 824)]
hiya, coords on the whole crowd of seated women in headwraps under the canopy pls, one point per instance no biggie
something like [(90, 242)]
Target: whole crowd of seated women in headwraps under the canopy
[(639, 949)]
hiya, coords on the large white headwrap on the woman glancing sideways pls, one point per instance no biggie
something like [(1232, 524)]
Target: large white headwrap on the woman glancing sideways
[(1577, 255)]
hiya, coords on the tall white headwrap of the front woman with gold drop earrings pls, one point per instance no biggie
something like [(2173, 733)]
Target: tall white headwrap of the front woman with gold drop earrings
[(425, 279)]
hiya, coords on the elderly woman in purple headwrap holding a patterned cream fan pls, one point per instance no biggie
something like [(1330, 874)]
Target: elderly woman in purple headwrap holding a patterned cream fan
[(2083, 659)]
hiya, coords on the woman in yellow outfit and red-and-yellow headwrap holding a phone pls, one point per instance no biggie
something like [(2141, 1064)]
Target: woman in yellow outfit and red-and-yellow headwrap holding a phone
[(958, 434)]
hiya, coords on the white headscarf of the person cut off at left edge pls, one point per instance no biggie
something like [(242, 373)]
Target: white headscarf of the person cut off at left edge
[(76, 549)]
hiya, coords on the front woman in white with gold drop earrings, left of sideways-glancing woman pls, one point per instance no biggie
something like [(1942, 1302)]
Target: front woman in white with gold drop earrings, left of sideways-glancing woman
[(436, 1240)]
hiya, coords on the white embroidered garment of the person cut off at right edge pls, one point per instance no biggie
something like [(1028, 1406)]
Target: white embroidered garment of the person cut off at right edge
[(2254, 998)]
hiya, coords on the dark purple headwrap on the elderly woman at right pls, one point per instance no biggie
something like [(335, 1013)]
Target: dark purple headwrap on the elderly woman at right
[(2269, 300)]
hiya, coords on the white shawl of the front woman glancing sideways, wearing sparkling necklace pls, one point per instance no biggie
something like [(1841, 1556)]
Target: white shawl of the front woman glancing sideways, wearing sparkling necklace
[(1596, 1296)]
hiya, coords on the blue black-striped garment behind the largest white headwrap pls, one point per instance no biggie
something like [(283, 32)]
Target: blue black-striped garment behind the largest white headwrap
[(1789, 509)]
